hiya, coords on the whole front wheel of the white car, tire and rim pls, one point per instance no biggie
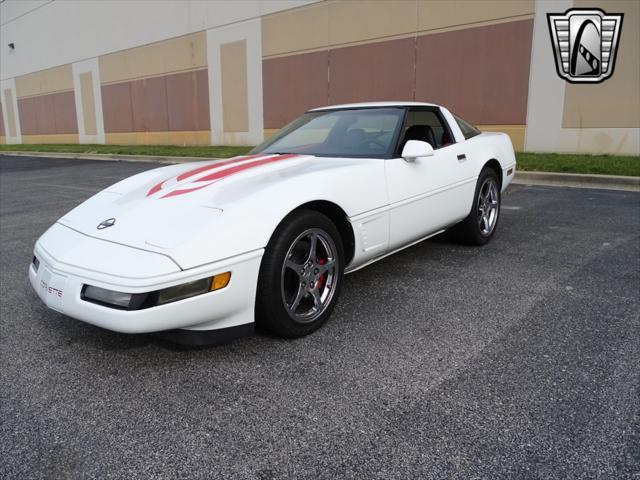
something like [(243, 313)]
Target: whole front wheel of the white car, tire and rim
[(300, 275)]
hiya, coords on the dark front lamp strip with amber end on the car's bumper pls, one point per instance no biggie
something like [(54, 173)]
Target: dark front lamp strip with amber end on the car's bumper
[(140, 301)]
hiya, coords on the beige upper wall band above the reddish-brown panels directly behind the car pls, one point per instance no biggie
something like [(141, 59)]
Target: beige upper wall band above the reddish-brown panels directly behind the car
[(335, 23)]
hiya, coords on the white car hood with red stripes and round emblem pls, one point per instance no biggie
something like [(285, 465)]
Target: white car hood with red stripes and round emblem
[(162, 210)]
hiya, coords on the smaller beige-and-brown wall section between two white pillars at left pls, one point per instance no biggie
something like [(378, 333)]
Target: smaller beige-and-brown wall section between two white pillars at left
[(157, 93)]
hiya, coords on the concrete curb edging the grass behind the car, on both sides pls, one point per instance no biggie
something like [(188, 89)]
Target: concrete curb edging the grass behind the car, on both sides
[(577, 180)]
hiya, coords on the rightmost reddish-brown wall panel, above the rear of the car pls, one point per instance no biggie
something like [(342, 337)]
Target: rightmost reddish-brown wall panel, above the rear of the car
[(488, 83)]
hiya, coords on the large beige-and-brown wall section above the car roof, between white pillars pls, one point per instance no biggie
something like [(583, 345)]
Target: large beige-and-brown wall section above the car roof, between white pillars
[(303, 43)]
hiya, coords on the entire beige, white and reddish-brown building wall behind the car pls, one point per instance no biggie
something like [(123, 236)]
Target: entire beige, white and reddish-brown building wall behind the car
[(233, 68)]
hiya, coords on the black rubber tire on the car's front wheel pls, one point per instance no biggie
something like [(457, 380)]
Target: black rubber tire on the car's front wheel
[(272, 313)]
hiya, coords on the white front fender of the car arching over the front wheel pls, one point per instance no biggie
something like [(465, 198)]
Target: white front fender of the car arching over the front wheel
[(254, 206)]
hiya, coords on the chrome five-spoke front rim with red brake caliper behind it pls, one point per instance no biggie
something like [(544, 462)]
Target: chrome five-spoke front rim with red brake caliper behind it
[(309, 275)]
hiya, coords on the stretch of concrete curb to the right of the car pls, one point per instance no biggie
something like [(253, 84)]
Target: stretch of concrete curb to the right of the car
[(578, 180)]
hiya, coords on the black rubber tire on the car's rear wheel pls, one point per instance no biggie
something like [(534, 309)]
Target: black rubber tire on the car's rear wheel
[(471, 231)]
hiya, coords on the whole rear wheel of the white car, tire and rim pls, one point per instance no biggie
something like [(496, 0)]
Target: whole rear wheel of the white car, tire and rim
[(481, 224)]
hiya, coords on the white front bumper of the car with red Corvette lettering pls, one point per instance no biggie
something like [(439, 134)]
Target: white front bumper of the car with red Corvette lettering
[(58, 282)]
